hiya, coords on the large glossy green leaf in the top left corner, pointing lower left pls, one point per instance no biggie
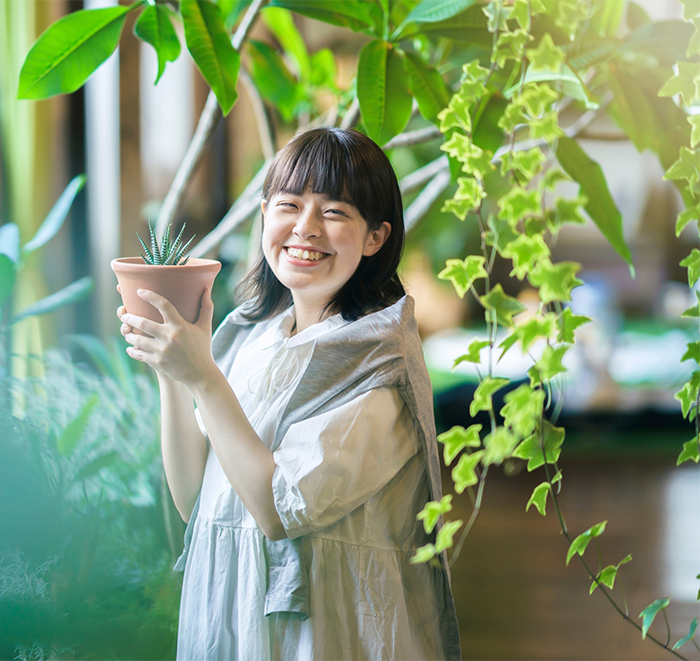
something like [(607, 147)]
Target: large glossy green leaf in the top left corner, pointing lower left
[(70, 50)]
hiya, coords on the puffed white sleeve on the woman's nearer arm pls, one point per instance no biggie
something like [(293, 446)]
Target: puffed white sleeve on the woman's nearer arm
[(330, 464)]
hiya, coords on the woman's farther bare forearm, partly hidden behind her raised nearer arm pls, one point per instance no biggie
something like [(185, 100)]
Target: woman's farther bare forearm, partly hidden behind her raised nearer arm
[(183, 445)]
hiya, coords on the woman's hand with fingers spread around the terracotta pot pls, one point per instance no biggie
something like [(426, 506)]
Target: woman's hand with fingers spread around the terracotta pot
[(175, 348)]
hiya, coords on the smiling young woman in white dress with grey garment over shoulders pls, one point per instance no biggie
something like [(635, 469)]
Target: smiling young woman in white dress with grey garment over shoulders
[(312, 446)]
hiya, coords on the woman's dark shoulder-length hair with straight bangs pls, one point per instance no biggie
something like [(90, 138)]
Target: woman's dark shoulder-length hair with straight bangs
[(337, 163)]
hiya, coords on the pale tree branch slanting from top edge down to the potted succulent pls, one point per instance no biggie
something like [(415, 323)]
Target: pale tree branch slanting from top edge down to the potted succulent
[(203, 134)]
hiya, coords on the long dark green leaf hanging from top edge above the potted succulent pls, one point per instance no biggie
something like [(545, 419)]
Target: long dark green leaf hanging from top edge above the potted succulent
[(210, 46)]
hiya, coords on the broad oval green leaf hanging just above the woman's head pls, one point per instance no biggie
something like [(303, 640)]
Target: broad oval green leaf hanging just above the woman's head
[(382, 91)]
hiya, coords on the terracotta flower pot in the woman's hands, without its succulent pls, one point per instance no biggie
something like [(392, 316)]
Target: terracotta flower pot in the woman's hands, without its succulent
[(183, 286)]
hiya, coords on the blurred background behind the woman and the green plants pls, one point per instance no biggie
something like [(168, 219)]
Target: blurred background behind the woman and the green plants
[(88, 534)]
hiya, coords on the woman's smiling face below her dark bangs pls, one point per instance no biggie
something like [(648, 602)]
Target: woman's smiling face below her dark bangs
[(313, 244)]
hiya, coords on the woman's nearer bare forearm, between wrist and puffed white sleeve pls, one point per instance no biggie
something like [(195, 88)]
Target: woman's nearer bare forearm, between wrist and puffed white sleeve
[(244, 458)]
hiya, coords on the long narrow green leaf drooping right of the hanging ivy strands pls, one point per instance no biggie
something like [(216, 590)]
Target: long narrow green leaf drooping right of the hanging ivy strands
[(600, 206)]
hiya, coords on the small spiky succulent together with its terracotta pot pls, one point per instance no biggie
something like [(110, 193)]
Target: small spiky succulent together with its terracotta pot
[(165, 270)]
